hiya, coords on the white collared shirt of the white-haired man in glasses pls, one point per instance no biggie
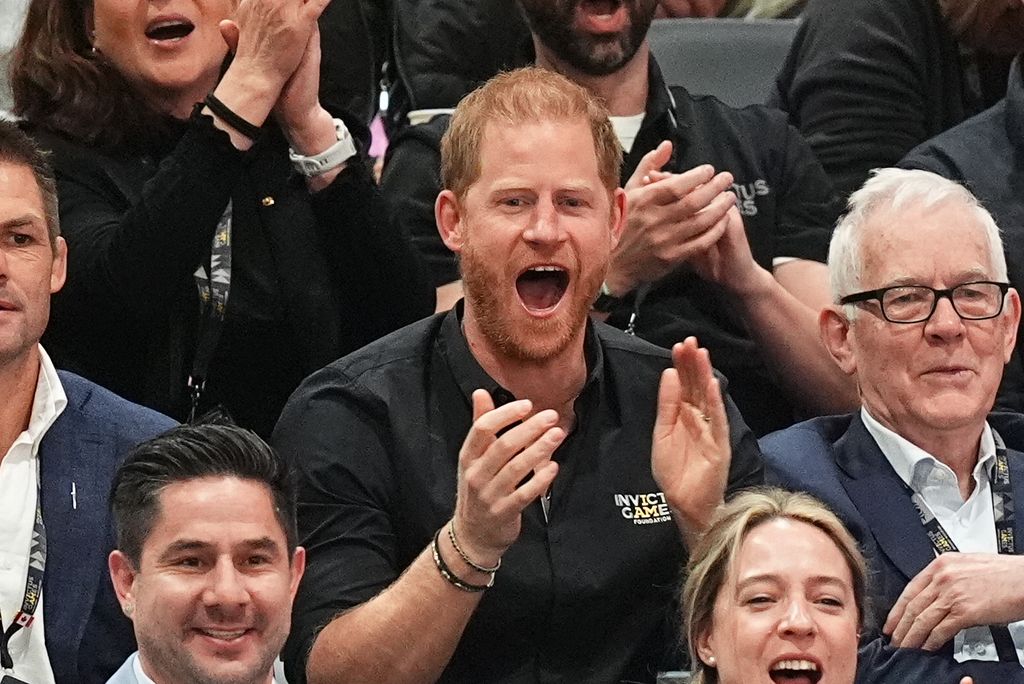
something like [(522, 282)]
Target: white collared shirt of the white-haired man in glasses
[(971, 524)]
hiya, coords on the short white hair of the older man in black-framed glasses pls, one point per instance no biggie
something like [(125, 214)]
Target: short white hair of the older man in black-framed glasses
[(894, 190)]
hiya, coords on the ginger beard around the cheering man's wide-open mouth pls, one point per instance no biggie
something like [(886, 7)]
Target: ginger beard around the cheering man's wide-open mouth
[(531, 341)]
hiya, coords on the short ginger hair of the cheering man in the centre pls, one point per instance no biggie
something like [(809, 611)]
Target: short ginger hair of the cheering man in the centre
[(531, 95)]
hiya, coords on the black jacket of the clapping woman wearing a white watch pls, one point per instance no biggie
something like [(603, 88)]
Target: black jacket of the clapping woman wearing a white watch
[(314, 277)]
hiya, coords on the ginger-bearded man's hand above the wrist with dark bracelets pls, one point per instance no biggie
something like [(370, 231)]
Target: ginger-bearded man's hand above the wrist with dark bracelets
[(493, 493)]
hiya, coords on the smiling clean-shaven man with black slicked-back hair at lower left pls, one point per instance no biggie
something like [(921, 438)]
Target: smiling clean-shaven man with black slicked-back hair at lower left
[(207, 564)]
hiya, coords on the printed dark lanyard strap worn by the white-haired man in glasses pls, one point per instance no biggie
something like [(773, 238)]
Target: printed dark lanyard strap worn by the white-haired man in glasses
[(1003, 514)]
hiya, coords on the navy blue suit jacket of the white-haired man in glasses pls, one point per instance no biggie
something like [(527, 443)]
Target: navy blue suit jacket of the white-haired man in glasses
[(837, 460)]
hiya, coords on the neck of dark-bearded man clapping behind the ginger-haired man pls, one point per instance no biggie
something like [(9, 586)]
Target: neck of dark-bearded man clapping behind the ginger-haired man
[(624, 93)]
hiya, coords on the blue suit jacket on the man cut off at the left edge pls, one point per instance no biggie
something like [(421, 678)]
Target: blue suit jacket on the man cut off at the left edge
[(88, 637)]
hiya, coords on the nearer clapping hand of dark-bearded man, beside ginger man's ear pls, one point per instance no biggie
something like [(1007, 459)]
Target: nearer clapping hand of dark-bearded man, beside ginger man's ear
[(672, 218)]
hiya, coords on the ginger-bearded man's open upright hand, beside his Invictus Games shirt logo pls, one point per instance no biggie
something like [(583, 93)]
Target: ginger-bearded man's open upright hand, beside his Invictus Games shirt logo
[(691, 451)]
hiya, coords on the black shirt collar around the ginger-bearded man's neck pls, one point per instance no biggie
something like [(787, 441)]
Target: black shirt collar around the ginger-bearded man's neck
[(471, 376)]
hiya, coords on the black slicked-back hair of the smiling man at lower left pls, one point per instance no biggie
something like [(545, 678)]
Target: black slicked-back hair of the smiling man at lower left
[(188, 453)]
